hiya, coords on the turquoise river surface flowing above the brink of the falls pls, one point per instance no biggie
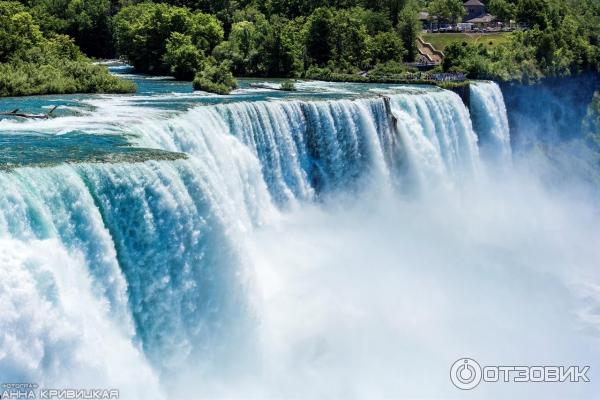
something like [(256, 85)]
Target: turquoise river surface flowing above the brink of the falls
[(23, 144)]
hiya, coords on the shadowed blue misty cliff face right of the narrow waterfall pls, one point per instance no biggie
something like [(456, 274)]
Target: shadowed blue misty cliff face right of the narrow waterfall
[(547, 133)]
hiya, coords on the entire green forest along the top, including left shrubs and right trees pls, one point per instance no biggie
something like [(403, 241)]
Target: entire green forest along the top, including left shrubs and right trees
[(45, 44)]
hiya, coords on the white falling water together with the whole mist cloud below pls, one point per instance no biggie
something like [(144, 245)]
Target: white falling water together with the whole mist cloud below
[(305, 249)]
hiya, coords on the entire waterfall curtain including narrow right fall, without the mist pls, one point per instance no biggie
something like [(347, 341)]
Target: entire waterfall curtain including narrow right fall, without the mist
[(112, 271)]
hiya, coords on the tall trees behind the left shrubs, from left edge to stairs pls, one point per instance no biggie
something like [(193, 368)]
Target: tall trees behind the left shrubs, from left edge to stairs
[(210, 41)]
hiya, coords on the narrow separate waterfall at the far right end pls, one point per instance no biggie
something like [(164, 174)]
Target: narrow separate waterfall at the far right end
[(491, 122)]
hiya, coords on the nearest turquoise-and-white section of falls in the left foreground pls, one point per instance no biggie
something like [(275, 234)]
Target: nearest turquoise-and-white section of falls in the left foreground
[(109, 265)]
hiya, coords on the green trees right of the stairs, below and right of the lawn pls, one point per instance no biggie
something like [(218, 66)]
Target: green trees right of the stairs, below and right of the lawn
[(563, 40)]
